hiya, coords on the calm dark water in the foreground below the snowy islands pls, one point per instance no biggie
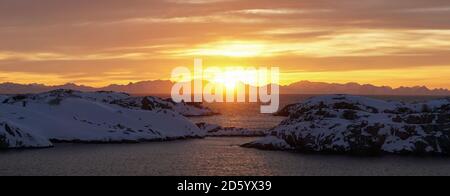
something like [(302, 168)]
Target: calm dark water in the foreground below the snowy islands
[(211, 156)]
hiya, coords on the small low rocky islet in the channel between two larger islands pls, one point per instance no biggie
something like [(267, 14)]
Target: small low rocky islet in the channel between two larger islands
[(218, 131)]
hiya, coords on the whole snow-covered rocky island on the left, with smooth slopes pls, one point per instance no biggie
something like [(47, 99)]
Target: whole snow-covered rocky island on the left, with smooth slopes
[(37, 120)]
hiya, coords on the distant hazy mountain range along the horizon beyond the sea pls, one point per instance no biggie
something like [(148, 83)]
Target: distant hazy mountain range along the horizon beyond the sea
[(158, 87)]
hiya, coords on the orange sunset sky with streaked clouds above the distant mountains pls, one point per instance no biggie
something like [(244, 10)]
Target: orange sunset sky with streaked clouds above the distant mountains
[(99, 42)]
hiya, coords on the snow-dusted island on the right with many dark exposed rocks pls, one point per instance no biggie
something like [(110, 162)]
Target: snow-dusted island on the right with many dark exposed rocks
[(357, 125)]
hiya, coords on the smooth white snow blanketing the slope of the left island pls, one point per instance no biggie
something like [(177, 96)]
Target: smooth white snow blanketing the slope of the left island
[(65, 115)]
